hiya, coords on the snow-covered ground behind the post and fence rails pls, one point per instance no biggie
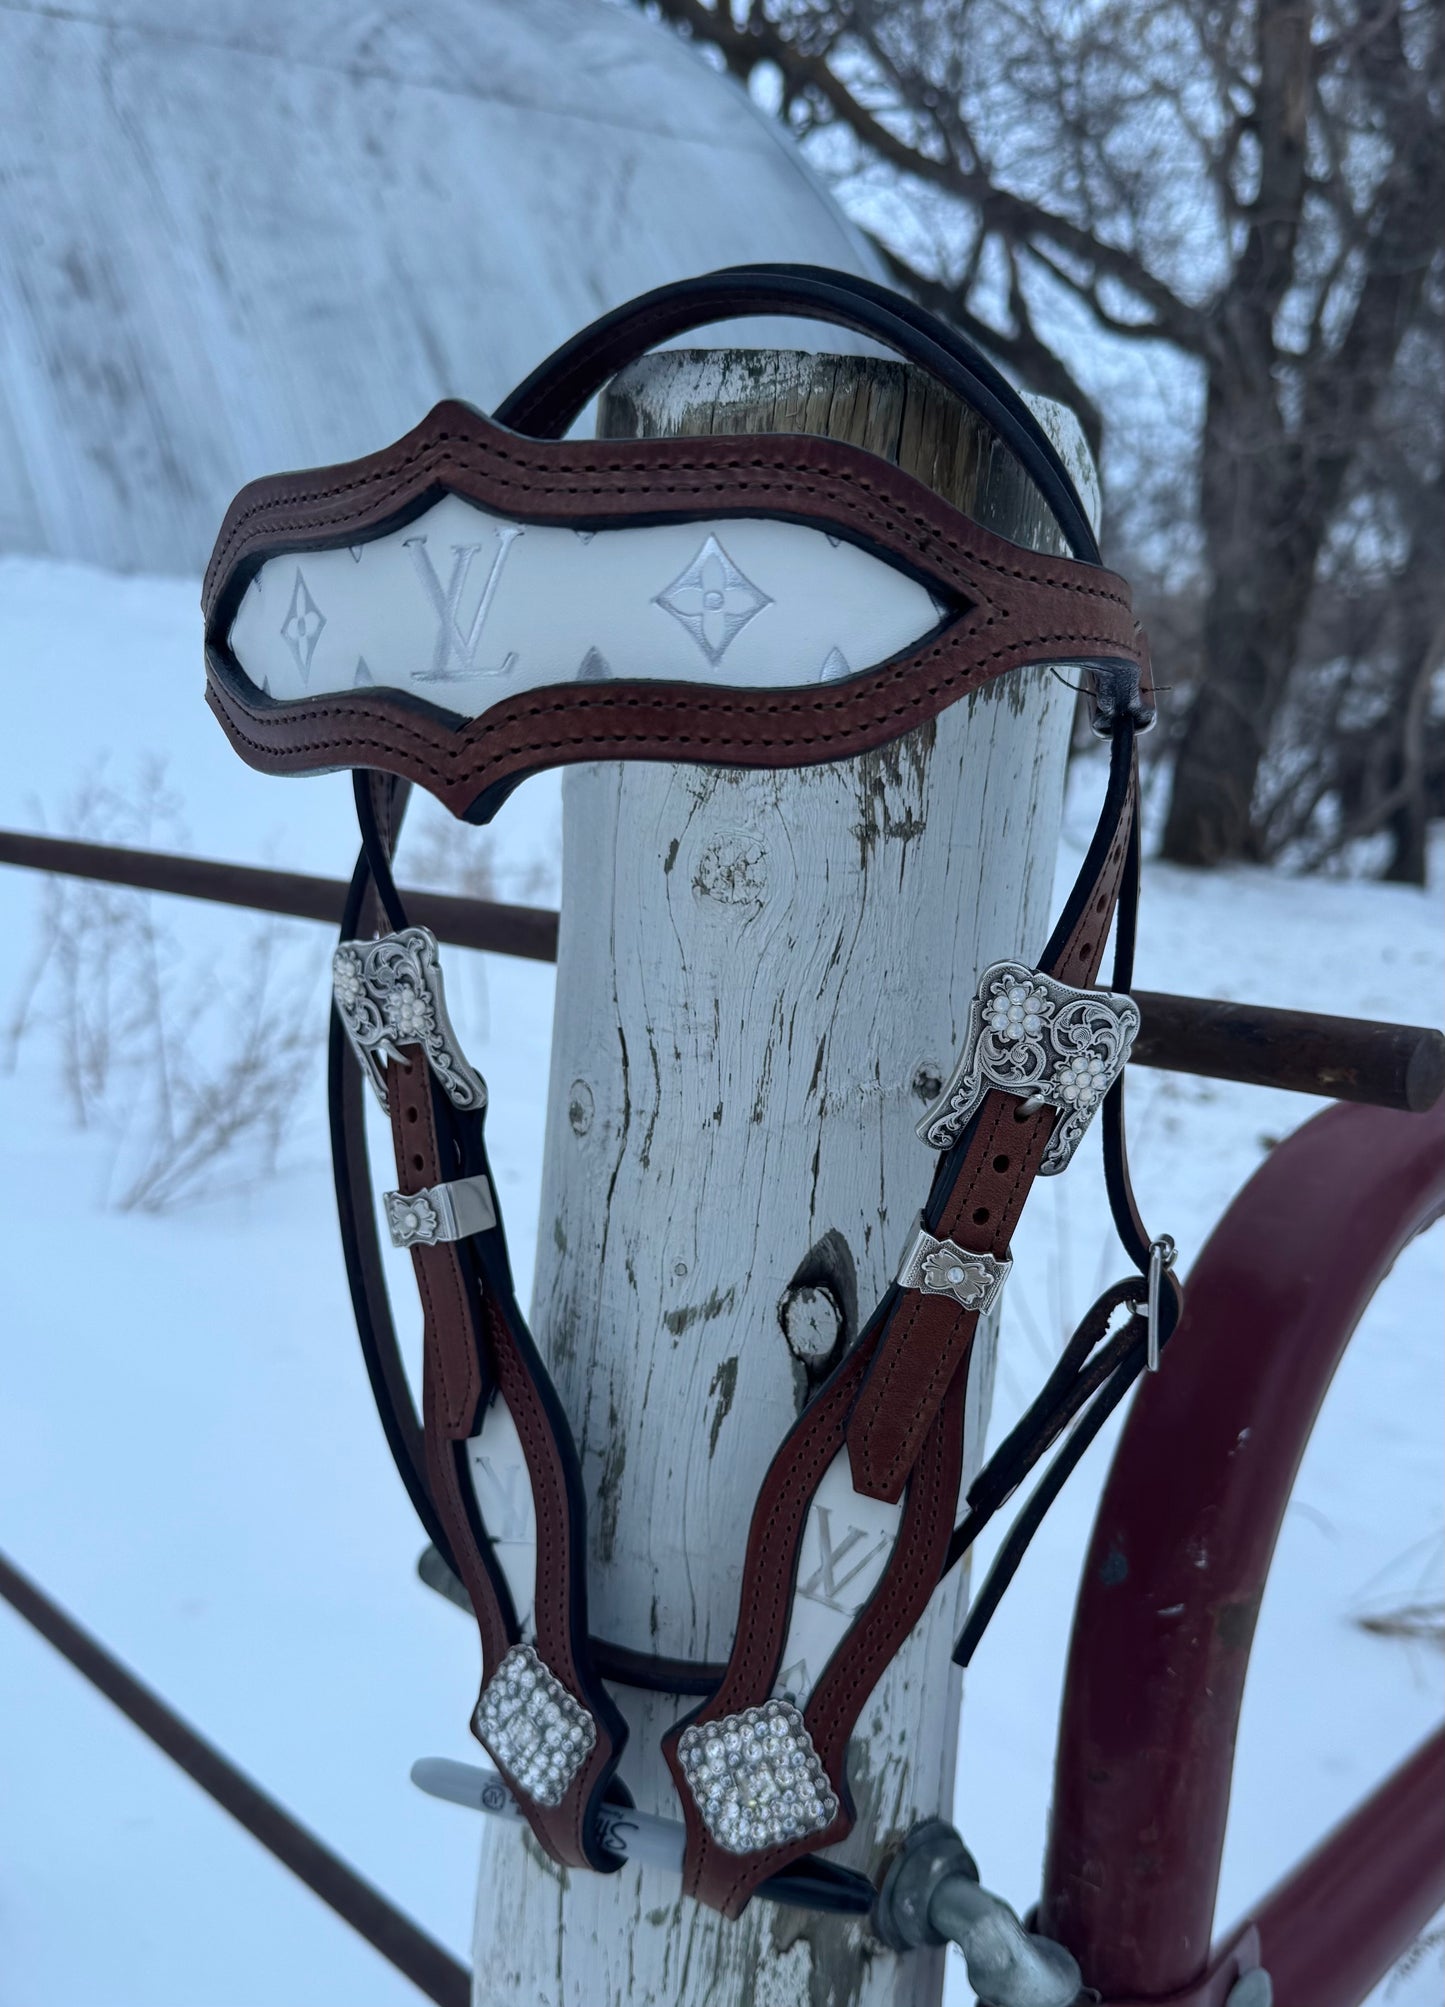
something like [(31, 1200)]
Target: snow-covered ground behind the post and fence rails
[(190, 1458)]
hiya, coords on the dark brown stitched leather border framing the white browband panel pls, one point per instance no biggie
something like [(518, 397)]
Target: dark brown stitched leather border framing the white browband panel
[(1017, 607)]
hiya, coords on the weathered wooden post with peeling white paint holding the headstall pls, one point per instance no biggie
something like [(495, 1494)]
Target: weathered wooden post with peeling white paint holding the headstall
[(762, 980)]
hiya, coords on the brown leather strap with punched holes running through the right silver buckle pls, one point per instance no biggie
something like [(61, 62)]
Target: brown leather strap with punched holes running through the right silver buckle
[(928, 1338)]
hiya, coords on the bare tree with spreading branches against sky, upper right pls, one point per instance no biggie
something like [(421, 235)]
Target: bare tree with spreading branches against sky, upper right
[(1249, 190)]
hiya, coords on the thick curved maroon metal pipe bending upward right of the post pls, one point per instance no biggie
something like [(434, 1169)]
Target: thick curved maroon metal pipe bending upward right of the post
[(1185, 1538)]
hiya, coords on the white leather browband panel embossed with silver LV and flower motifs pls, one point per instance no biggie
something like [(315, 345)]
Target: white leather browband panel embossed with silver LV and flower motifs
[(465, 609)]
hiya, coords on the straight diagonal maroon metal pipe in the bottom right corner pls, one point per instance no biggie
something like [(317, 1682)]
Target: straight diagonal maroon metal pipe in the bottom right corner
[(1334, 1928)]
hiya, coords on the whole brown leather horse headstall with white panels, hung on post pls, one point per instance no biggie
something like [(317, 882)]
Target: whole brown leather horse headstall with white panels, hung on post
[(487, 599)]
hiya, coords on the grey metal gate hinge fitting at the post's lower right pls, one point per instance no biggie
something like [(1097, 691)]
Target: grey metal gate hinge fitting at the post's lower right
[(932, 1896)]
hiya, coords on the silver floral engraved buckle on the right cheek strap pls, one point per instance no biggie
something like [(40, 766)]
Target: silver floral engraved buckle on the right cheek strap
[(1045, 1041)]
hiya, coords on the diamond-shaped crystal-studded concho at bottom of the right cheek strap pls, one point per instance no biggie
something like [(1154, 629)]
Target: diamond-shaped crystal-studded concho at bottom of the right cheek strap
[(758, 1779)]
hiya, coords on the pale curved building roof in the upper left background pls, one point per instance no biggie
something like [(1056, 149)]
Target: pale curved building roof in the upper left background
[(246, 236)]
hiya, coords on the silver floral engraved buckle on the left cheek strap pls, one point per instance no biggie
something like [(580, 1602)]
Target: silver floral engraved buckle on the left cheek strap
[(390, 996)]
